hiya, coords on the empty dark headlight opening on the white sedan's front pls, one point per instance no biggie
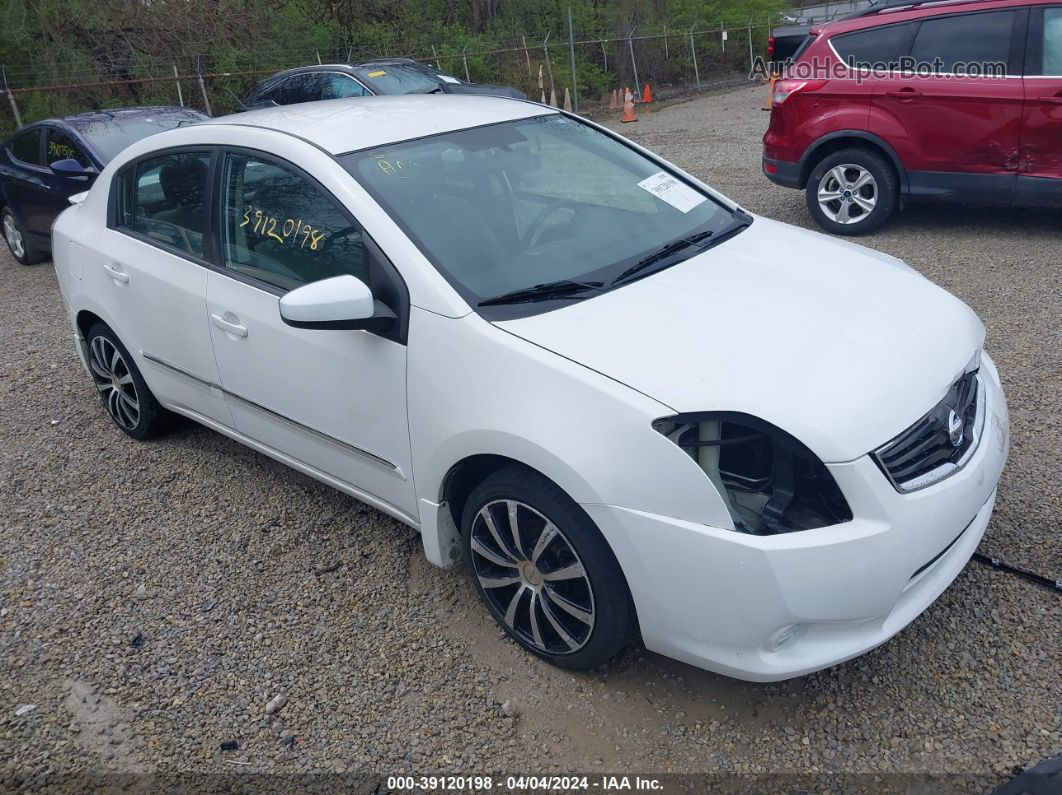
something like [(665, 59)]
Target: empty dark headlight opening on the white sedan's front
[(769, 481)]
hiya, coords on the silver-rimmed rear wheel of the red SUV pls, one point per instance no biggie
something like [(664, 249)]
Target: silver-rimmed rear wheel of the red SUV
[(867, 205)]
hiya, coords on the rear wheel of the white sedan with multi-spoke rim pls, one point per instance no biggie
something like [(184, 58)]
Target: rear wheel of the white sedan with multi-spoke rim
[(124, 393)]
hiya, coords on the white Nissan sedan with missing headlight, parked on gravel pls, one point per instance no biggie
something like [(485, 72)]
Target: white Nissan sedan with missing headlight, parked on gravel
[(625, 404)]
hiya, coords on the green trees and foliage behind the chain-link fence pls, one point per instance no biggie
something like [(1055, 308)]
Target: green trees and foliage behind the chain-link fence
[(117, 44)]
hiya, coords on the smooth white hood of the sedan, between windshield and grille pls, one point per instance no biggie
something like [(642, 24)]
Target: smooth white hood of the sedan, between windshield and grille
[(840, 345)]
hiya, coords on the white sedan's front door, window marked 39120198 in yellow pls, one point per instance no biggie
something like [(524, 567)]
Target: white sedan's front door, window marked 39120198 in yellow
[(333, 401)]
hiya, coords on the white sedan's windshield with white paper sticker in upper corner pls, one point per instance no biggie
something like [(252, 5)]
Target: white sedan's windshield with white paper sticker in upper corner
[(530, 203)]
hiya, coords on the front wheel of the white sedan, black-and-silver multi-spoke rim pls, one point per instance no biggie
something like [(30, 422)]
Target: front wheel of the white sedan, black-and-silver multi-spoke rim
[(568, 601)]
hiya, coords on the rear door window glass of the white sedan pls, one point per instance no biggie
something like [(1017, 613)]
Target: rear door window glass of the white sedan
[(165, 199)]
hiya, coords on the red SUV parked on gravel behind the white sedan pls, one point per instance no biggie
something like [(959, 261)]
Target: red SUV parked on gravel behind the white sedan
[(955, 101)]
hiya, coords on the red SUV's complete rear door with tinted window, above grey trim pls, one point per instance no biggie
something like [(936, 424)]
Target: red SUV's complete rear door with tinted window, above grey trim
[(953, 112)]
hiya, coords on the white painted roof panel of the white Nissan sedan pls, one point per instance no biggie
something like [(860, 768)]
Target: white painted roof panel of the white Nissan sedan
[(351, 125)]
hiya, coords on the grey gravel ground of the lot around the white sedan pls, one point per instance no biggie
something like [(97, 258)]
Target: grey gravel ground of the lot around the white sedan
[(155, 598)]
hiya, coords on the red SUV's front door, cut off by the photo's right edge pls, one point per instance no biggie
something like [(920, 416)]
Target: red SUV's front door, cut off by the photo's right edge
[(1040, 172)]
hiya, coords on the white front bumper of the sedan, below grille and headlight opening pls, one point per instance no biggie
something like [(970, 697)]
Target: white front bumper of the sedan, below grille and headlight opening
[(765, 609)]
